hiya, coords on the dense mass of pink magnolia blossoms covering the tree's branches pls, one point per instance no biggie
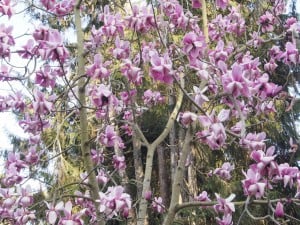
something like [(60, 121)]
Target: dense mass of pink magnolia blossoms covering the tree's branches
[(130, 61)]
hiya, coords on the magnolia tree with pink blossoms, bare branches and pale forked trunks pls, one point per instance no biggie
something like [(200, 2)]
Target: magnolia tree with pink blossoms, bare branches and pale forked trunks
[(200, 60)]
